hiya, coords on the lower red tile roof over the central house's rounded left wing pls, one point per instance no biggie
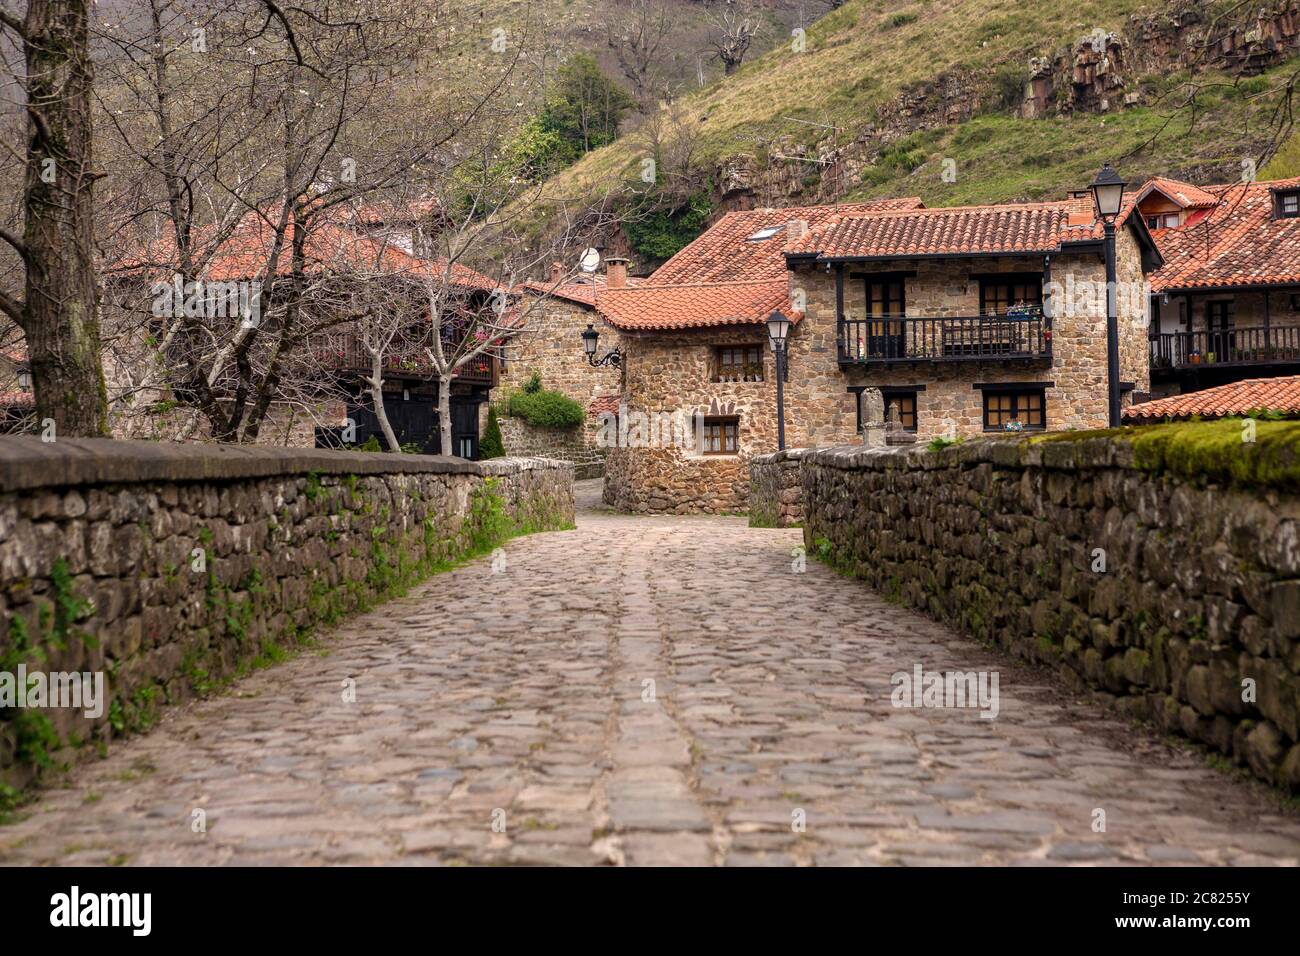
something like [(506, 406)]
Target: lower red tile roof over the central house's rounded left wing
[(695, 306)]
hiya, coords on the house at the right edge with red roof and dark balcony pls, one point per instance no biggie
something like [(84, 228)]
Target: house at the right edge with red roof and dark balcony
[(1227, 304)]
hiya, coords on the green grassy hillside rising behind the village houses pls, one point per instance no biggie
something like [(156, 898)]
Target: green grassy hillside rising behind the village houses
[(863, 58)]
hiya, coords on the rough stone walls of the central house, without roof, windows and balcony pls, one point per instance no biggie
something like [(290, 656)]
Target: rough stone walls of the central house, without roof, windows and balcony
[(675, 373)]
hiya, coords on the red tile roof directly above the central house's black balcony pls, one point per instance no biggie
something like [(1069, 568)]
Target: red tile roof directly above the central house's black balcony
[(1009, 228)]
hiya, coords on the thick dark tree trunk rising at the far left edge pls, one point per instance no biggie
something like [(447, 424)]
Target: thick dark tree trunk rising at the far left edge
[(60, 315)]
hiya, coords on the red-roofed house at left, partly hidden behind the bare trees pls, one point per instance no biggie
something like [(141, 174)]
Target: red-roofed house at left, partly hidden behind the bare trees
[(352, 262)]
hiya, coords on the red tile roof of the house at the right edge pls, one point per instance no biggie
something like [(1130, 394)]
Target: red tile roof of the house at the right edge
[(1238, 244)]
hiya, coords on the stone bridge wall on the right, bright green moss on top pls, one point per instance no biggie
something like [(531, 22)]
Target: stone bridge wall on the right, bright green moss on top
[(1177, 598)]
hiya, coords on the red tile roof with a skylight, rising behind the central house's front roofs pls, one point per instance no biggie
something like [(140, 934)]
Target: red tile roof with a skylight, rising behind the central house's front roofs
[(726, 254)]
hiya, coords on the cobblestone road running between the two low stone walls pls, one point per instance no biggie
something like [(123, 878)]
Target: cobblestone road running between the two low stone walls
[(510, 717)]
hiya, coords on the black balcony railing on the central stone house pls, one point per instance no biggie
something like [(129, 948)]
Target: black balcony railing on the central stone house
[(946, 339)]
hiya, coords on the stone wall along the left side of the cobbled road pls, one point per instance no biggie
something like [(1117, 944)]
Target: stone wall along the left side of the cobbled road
[(172, 568)]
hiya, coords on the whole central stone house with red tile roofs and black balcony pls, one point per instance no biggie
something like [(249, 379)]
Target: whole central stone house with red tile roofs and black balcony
[(967, 321)]
